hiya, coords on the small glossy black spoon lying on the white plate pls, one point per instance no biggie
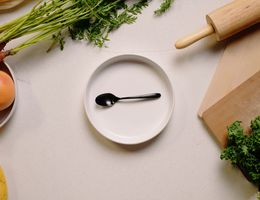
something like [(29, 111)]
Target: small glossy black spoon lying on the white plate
[(108, 99)]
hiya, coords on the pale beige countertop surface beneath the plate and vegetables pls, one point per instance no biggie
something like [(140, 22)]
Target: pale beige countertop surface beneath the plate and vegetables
[(50, 151)]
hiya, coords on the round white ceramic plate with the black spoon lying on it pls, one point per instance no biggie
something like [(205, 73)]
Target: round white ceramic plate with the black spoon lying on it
[(129, 122)]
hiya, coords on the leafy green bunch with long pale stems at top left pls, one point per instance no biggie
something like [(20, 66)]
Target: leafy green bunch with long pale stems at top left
[(90, 20)]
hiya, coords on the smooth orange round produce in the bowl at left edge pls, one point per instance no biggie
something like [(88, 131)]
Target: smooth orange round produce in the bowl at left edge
[(7, 90)]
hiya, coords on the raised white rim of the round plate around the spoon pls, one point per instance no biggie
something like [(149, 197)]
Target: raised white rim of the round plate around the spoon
[(135, 139)]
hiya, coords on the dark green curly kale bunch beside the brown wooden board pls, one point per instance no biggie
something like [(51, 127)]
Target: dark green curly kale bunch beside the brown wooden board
[(243, 150)]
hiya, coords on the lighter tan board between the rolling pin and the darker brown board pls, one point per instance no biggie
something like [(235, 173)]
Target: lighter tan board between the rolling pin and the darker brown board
[(240, 60)]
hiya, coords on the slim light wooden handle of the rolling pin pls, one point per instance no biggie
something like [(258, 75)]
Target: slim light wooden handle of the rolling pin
[(188, 40)]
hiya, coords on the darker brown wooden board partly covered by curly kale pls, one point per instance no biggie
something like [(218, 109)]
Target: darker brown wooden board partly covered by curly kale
[(242, 104)]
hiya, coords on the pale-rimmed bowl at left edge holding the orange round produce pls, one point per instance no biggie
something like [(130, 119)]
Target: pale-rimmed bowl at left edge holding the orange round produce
[(6, 114)]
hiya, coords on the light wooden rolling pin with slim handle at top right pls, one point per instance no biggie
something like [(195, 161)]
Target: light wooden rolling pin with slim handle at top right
[(226, 21)]
